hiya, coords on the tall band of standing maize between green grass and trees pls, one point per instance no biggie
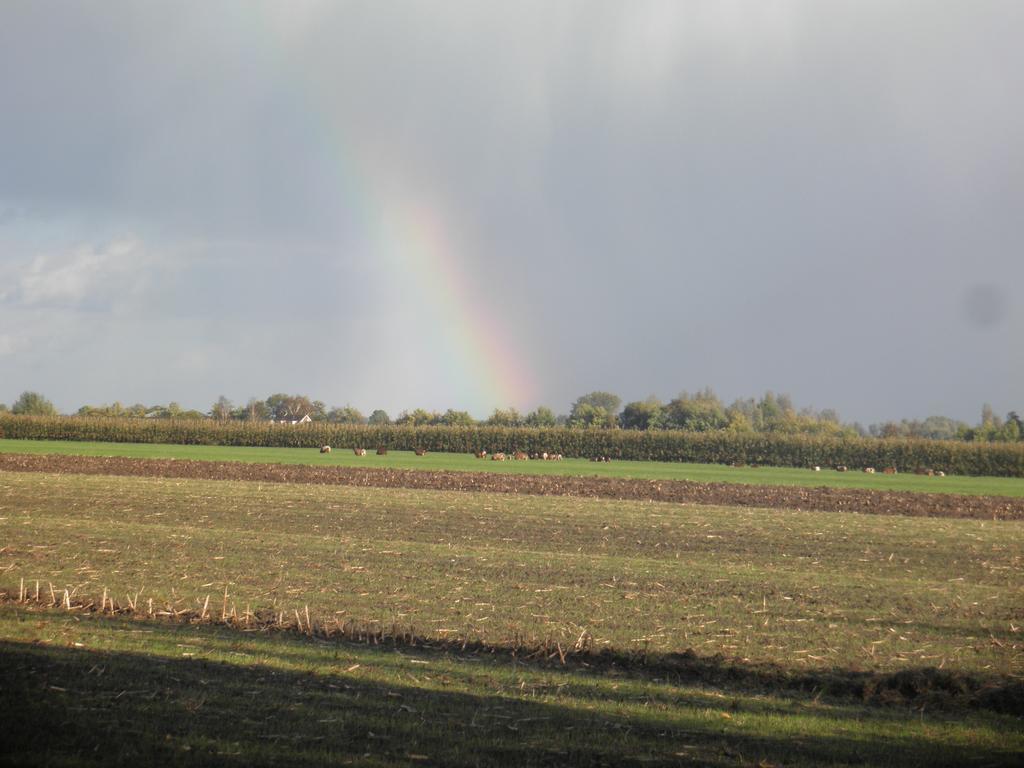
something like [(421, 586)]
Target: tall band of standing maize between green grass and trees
[(996, 459)]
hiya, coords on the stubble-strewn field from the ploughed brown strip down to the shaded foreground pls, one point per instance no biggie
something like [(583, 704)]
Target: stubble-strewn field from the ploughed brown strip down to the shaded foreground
[(782, 596)]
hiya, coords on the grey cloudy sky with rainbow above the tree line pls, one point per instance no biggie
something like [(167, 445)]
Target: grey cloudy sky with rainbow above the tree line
[(475, 205)]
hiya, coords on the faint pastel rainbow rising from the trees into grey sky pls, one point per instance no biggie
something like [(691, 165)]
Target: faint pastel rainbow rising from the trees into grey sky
[(405, 227)]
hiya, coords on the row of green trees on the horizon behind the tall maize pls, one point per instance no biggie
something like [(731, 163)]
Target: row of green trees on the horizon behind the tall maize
[(698, 412)]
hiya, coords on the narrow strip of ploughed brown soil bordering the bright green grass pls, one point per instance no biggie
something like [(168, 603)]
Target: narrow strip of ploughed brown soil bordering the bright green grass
[(680, 492)]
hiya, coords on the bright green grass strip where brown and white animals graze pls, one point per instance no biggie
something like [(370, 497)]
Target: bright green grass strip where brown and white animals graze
[(1012, 487)]
